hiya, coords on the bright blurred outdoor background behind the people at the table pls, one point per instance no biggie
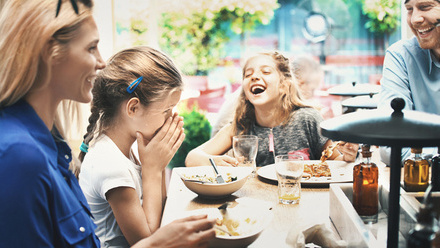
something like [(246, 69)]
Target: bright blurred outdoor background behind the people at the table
[(209, 40)]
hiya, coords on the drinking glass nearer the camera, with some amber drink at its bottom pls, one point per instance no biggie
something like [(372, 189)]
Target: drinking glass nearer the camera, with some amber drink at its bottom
[(289, 169)]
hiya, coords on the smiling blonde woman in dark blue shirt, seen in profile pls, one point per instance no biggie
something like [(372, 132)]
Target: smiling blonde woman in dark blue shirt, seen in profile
[(49, 56)]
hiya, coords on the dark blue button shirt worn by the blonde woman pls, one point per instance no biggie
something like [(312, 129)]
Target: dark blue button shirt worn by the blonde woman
[(42, 204)]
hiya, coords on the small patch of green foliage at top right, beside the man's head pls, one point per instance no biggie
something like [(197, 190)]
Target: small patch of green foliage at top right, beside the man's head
[(383, 15)]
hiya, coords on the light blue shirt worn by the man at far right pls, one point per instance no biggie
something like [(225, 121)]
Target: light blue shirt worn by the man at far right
[(413, 74)]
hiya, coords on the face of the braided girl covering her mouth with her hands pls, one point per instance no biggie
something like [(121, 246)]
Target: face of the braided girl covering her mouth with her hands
[(154, 116)]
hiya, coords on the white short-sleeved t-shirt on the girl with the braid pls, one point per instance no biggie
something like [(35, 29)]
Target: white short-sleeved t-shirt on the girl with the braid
[(104, 168)]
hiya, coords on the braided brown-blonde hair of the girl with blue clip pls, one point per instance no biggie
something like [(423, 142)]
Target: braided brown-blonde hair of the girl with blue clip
[(160, 77)]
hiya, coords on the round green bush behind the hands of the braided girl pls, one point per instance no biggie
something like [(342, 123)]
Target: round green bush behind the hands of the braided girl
[(197, 131)]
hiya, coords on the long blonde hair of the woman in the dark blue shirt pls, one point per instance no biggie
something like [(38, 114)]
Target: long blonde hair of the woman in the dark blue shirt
[(30, 38)]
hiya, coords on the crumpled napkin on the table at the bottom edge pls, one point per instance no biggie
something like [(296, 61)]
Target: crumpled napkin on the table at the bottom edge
[(318, 234)]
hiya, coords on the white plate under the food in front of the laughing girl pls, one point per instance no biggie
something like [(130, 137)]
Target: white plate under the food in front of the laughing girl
[(341, 172)]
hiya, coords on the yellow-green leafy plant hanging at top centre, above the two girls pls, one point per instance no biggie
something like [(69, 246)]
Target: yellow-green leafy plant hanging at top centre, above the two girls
[(195, 32)]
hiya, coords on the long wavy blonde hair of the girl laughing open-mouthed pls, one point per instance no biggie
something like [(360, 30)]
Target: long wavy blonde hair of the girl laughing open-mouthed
[(289, 100)]
